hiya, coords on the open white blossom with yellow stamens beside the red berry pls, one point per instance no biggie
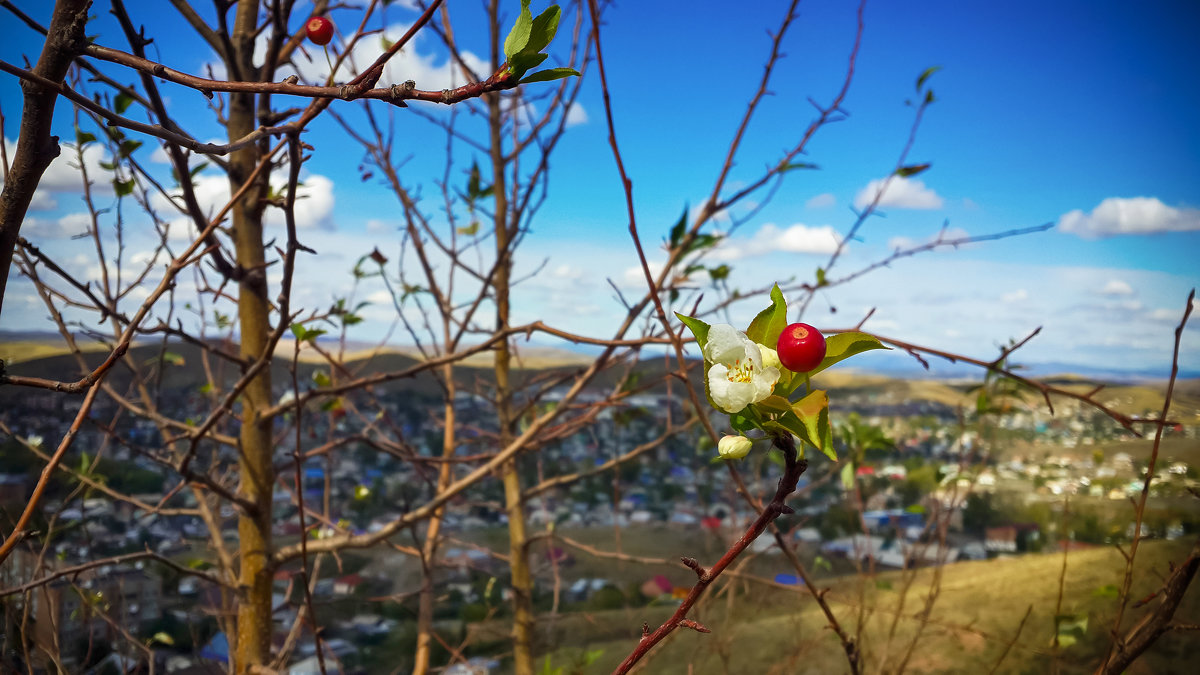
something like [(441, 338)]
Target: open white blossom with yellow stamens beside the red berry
[(737, 377)]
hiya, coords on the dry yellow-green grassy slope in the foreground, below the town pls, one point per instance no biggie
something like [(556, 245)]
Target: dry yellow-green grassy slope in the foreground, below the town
[(977, 613)]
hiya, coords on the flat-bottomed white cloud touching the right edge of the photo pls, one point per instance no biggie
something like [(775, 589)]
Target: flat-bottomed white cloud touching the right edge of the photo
[(1135, 216)]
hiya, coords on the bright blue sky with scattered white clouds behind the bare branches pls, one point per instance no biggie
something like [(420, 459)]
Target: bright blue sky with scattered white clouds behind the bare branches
[(1075, 114)]
